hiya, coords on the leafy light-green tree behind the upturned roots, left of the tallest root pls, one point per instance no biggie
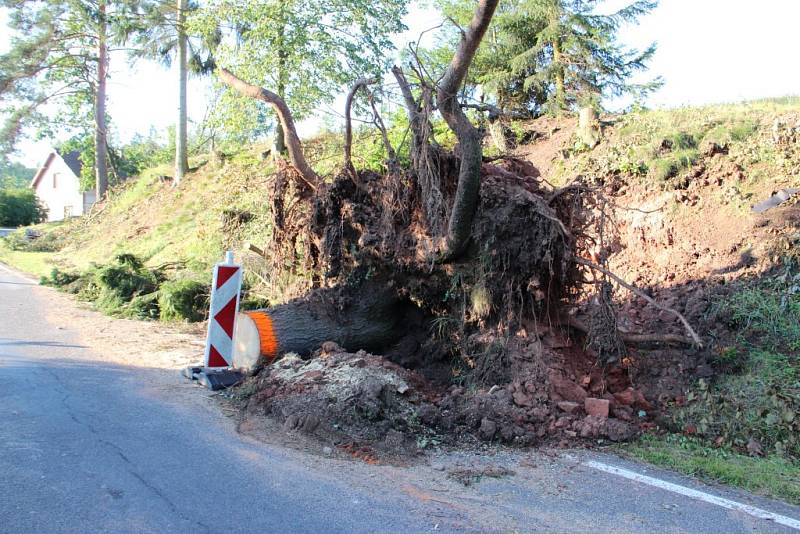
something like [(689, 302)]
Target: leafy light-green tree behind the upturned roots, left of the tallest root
[(303, 51)]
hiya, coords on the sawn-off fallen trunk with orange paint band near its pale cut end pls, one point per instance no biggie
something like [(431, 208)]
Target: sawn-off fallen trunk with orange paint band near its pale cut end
[(373, 322)]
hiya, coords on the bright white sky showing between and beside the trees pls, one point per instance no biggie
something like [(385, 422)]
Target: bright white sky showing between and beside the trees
[(709, 51)]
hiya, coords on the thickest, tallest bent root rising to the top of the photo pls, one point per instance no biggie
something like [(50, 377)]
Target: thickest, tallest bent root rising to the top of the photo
[(469, 139)]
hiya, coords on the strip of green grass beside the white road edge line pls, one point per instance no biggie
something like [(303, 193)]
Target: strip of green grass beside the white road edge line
[(771, 476)]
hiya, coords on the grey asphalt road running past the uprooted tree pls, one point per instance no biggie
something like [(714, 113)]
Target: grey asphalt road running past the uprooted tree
[(87, 445)]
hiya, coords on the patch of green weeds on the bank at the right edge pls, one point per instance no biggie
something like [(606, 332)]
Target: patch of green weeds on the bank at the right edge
[(758, 399)]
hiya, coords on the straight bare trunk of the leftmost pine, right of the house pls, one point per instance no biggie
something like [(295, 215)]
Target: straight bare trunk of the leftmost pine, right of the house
[(100, 146)]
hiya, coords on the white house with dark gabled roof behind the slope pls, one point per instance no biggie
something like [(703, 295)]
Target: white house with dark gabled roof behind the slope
[(57, 184)]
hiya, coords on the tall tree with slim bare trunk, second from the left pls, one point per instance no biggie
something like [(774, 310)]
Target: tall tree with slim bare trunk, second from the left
[(162, 34)]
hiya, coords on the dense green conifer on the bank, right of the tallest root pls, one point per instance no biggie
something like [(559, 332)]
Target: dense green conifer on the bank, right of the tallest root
[(551, 55)]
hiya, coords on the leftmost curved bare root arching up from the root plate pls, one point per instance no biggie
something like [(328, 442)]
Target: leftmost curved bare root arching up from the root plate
[(295, 149)]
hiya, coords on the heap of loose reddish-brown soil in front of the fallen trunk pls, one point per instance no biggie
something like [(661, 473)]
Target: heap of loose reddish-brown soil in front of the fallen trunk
[(374, 409)]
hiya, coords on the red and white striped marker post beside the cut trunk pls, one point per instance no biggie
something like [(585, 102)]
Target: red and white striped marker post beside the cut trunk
[(225, 288)]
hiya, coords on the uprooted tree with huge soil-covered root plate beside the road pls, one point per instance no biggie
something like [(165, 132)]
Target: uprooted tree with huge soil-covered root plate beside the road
[(455, 246)]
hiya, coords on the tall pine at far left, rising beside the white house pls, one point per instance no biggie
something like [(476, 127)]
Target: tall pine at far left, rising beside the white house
[(59, 53)]
